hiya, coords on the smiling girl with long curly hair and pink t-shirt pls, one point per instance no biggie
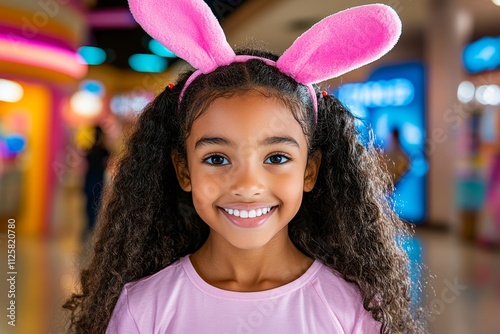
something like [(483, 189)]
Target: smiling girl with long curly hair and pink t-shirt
[(245, 204)]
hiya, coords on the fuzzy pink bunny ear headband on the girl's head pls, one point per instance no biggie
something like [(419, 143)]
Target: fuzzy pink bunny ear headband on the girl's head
[(337, 44)]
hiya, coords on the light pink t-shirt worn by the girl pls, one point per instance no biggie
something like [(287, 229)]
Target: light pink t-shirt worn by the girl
[(177, 300)]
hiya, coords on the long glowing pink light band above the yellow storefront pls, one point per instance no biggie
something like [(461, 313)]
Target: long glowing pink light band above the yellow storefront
[(23, 51)]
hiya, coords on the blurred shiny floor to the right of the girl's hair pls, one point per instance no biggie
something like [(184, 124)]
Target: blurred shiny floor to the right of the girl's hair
[(463, 285)]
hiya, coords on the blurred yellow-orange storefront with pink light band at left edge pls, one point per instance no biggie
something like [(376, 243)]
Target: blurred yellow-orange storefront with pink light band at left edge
[(39, 68)]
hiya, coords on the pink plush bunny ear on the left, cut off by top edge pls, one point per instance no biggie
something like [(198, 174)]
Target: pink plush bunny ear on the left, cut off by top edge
[(187, 28)]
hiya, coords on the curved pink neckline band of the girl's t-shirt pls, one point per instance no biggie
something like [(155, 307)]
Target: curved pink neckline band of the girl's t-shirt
[(211, 290)]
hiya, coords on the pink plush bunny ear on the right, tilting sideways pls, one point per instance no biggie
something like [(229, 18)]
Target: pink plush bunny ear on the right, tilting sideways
[(341, 42)]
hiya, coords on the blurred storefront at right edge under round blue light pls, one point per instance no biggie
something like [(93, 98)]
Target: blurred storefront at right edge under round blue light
[(478, 170)]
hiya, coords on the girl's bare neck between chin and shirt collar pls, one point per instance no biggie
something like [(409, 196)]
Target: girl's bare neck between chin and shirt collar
[(224, 266)]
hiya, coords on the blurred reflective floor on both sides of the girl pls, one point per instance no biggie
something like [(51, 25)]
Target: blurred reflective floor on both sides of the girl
[(461, 290)]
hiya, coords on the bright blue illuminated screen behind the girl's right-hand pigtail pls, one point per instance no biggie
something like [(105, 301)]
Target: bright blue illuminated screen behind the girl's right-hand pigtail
[(392, 104)]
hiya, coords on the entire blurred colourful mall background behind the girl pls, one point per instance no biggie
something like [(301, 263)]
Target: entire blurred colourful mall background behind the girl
[(75, 74)]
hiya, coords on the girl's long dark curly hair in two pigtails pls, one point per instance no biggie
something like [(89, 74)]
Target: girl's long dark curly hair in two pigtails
[(347, 221)]
